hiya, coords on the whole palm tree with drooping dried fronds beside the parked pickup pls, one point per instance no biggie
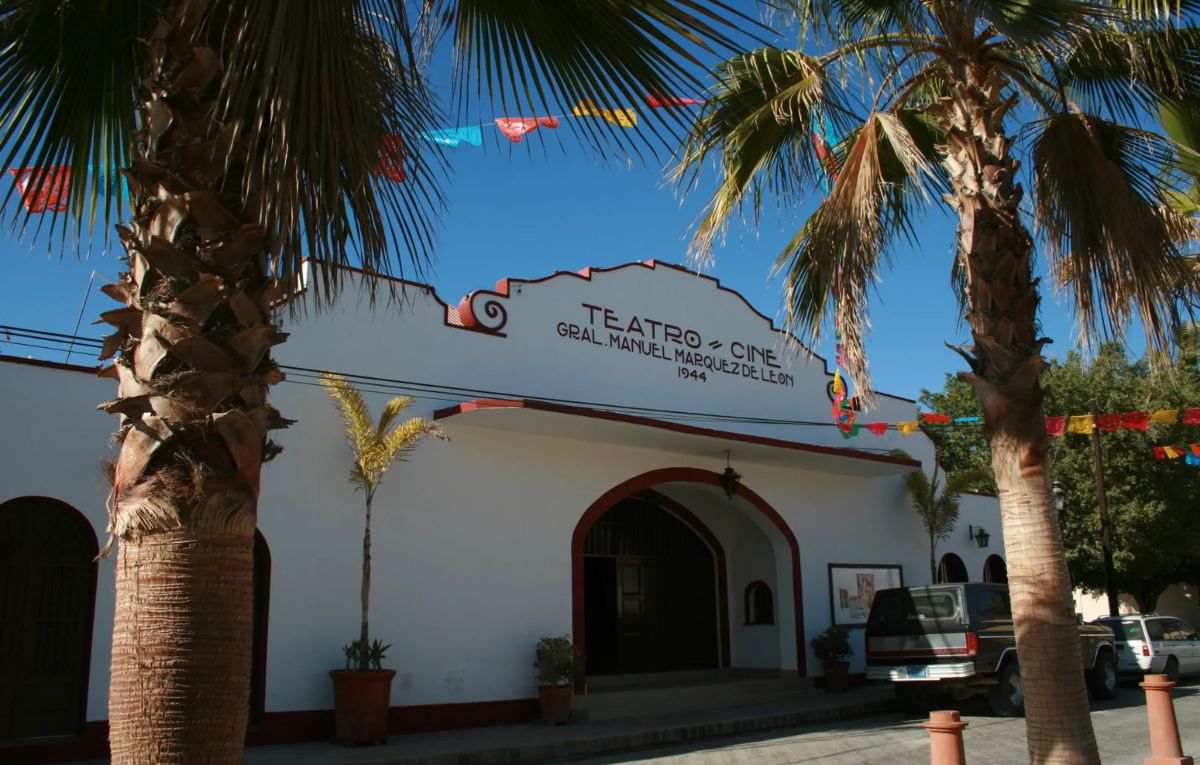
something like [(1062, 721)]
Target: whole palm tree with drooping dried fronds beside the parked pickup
[(926, 100)]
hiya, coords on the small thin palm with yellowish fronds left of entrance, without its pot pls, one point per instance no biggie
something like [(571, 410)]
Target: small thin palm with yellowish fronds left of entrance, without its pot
[(375, 448)]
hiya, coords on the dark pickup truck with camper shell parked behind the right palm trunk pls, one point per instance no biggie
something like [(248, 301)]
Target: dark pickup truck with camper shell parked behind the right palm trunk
[(958, 638)]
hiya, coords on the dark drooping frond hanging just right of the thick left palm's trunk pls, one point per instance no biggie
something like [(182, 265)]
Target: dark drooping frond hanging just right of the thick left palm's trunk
[(320, 95)]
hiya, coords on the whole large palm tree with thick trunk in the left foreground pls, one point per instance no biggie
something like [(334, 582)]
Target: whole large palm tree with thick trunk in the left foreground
[(253, 135)]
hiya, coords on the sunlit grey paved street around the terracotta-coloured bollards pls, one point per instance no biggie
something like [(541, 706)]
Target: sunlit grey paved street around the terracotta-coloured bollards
[(893, 739)]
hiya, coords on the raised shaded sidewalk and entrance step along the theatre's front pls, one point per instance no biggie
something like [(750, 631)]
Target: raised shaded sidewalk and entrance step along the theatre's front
[(537, 743)]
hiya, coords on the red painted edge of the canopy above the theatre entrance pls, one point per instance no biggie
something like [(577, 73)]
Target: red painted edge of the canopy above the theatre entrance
[(602, 414)]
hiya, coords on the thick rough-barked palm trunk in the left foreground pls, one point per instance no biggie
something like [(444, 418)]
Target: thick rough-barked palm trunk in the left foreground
[(194, 371)]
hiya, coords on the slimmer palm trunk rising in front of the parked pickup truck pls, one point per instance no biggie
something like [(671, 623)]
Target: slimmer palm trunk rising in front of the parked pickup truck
[(997, 257)]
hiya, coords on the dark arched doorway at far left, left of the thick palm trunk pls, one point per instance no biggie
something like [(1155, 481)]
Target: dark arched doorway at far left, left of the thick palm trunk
[(47, 603)]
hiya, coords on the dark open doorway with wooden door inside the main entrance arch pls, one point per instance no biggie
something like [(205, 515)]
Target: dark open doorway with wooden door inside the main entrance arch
[(650, 593)]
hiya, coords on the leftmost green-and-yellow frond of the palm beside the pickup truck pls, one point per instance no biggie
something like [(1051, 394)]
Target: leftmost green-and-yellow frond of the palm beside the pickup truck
[(760, 121)]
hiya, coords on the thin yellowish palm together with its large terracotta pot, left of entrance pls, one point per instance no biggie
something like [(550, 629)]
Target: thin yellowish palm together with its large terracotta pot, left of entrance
[(363, 691)]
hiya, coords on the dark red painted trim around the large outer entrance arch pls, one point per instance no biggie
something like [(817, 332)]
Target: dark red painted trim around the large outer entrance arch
[(675, 475)]
